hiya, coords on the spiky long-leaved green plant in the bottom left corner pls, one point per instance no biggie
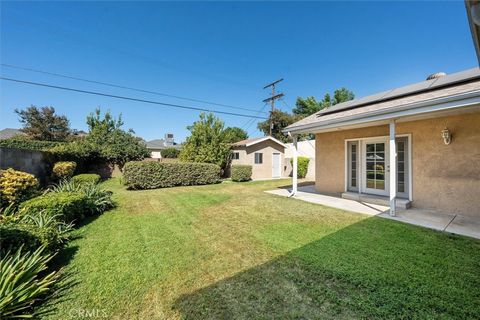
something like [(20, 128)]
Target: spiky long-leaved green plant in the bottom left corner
[(23, 281)]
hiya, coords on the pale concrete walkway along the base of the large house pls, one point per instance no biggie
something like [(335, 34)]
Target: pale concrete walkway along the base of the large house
[(462, 225)]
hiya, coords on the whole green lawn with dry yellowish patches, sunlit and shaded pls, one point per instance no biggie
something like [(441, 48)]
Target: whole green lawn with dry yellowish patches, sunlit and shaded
[(232, 251)]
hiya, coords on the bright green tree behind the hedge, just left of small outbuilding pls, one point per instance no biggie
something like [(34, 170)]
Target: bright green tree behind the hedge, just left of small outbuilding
[(206, 143)]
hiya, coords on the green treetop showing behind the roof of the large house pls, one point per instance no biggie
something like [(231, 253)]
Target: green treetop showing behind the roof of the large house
[(307, 106)]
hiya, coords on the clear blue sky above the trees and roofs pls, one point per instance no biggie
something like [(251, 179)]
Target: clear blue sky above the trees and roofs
[(223, 52)]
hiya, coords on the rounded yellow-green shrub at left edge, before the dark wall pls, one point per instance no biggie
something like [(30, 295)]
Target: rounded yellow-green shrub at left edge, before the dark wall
[(16, 186)]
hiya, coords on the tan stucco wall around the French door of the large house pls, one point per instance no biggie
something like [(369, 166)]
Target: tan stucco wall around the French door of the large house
[(444, 177)]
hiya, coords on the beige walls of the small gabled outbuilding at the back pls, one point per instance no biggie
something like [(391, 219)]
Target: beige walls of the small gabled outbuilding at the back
[(264, 170)]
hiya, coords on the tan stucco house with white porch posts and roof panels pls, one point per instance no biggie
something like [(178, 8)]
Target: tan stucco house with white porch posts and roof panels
[(416, 145)]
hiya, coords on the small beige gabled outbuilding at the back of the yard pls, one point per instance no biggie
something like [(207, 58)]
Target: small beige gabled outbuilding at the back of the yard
[(266, 155)]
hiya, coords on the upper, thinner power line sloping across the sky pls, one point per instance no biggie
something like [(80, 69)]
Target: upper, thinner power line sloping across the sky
[(122, 87)]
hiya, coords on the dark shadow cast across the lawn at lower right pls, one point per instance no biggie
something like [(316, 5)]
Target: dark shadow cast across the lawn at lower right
[(372, 269)]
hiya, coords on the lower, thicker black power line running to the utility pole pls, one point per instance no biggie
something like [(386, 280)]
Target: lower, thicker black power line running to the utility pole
[(128, 98)]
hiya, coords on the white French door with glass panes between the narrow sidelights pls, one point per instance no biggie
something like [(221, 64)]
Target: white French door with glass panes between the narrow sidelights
[(375, 167)]
